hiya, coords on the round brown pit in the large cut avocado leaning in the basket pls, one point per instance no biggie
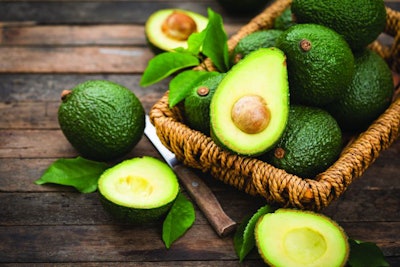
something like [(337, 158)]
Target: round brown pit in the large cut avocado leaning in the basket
[(251, 114)]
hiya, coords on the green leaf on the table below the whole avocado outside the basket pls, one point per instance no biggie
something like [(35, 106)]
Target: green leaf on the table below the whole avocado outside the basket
[(80, 173)]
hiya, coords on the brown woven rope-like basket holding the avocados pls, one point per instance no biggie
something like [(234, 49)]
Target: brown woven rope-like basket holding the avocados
[(258, 178)]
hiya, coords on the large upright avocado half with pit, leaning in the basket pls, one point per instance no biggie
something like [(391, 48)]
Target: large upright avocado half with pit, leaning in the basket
[(249, 109)]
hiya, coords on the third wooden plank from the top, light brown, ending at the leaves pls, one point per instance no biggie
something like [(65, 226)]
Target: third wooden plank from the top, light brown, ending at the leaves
[(99, 59)]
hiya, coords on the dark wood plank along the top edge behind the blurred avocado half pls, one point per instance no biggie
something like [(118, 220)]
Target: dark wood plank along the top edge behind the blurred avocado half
[(102, 12)]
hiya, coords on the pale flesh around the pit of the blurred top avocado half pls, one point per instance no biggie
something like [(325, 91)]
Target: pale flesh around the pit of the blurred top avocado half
[(157, 38)]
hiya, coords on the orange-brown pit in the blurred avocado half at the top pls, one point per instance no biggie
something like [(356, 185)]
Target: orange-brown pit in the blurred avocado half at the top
[(179, 26)]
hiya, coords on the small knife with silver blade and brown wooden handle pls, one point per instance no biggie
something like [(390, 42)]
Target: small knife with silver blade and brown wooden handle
[(195, 186)]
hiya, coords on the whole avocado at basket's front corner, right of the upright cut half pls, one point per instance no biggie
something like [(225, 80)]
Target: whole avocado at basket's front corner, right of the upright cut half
[(311, 142)]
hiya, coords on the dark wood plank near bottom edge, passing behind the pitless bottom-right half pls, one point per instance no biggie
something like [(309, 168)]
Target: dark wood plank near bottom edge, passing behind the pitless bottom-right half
[(125, 243)]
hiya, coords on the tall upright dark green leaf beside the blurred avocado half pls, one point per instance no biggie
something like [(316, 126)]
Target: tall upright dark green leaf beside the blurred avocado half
[(215, 44)]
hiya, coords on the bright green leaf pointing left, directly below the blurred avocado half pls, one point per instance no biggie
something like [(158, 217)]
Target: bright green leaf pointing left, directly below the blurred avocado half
[(163, 65)]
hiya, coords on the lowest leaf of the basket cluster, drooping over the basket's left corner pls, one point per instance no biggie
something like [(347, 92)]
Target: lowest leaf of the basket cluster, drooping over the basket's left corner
[(181, 84)]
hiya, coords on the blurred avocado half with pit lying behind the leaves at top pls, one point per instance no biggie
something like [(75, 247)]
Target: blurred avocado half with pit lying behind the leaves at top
[(167, 29)]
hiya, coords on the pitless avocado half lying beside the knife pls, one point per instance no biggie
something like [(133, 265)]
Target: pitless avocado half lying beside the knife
[(138, 190)]
